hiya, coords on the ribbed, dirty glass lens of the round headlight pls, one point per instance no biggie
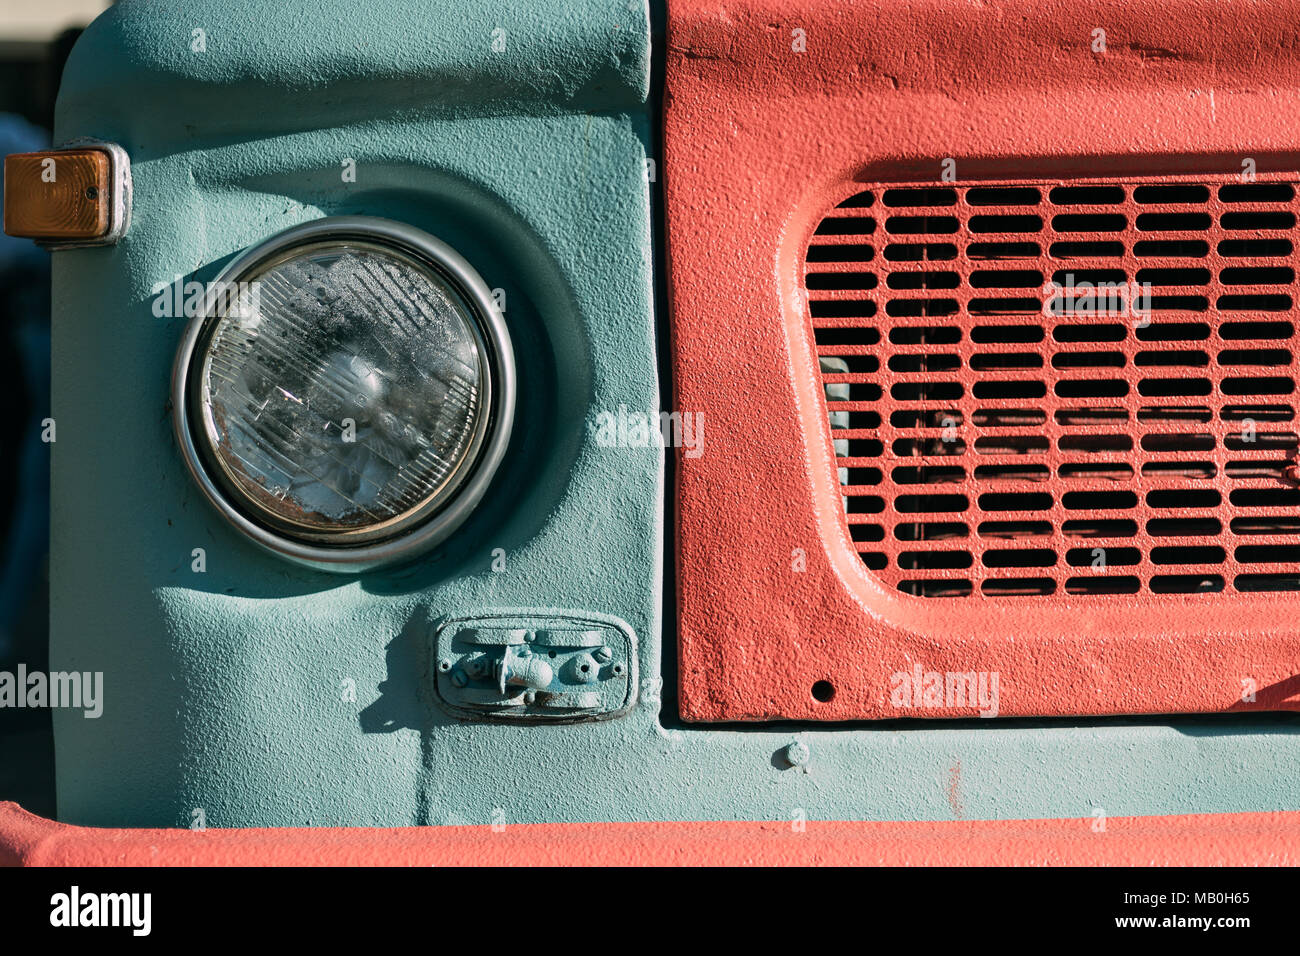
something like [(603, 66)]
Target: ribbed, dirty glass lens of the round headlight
[(344, 397)]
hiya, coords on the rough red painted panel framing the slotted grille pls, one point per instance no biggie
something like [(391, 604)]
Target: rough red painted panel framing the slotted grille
[(817, 98)]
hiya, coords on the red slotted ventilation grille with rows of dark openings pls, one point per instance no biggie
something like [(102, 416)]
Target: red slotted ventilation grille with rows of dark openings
[(999, 440)]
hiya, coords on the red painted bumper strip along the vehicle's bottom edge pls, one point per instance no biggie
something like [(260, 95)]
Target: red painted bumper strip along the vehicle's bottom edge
[(1232, 840)]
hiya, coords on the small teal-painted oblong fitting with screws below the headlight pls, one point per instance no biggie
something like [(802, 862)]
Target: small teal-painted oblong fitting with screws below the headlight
[(536, 668)]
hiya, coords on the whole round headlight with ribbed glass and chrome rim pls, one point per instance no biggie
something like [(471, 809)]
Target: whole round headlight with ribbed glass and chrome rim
[(348, 392)]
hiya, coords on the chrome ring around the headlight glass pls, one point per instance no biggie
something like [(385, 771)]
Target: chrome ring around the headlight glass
[(454, 501)]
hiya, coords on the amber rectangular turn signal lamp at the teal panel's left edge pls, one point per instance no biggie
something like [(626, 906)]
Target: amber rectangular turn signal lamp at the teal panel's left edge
[(66, 197)]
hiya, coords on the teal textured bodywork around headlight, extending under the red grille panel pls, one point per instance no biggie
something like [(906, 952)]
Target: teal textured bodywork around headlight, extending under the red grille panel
[(227, 691)]
